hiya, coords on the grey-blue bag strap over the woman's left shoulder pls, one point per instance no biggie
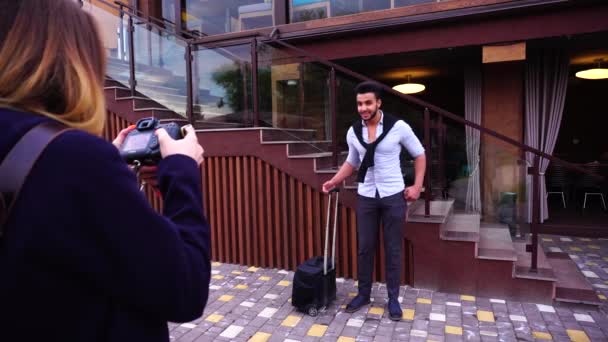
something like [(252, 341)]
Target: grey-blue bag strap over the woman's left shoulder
[(19, 161)]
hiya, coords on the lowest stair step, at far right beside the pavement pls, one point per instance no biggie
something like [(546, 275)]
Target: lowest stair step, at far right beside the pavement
[(571, 285)]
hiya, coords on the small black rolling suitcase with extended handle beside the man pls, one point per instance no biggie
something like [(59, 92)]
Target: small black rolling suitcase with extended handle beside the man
[(314, 283)]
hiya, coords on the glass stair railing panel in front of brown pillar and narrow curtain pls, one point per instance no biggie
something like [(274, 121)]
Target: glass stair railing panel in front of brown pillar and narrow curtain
[(484, 176)]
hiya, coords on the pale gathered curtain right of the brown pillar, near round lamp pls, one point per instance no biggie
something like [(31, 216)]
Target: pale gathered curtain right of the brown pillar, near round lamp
[(546, 84)]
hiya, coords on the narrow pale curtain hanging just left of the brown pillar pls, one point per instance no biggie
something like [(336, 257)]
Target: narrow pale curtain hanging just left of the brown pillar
[(472, 112)]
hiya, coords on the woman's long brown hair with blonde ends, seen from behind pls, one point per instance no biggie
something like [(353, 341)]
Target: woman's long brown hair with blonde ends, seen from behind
[(52, 62)]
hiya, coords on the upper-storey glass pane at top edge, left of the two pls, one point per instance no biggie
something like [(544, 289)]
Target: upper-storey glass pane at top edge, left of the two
[(219, 16)]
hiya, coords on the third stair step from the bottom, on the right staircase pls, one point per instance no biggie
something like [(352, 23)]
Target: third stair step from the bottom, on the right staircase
[(495, 243)]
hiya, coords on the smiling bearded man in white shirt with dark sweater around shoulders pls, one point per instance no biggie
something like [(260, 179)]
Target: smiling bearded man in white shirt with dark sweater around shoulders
[(374, 146)]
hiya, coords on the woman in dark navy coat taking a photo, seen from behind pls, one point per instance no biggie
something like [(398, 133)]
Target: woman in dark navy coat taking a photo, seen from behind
[(83, 256)]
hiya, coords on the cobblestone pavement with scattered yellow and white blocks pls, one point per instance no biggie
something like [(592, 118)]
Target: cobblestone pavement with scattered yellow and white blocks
[(252, 304)]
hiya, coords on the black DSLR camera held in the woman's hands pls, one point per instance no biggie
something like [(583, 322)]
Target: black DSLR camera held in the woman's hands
[(141, 144)]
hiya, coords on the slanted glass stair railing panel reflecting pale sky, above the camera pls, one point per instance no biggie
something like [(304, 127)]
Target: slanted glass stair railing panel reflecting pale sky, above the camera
[(160, 69)]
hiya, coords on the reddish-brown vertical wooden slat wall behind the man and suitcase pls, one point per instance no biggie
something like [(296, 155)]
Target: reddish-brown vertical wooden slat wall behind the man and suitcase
[(261, 216)]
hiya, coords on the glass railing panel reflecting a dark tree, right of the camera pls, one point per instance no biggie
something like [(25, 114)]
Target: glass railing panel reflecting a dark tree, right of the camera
[(222, 87)]
